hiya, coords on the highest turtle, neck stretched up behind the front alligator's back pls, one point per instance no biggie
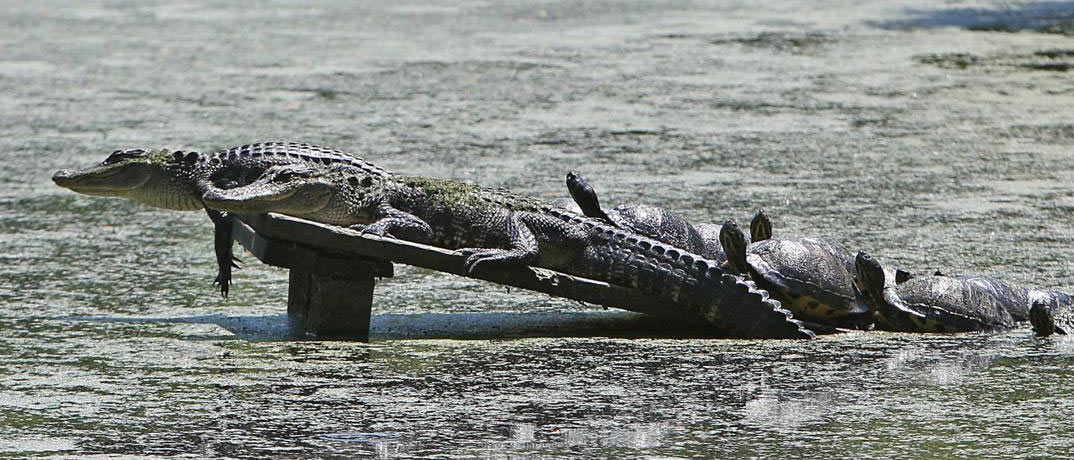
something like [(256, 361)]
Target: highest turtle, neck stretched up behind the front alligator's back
[(652, 222)]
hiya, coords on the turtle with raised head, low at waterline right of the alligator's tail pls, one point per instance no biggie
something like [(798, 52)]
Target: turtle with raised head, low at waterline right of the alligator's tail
[(930, 304)]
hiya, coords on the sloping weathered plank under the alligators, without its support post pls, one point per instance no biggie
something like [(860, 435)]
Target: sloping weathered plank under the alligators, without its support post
[(274, 227)]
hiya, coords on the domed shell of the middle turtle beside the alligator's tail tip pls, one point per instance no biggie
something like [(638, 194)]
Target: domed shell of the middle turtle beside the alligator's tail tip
[(815, 284)]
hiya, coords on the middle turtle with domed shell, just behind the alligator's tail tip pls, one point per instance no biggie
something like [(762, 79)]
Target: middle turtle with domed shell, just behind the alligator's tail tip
[(801, 274)]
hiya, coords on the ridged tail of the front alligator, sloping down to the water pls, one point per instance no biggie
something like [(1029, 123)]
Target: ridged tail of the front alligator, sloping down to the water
[(735, 306)]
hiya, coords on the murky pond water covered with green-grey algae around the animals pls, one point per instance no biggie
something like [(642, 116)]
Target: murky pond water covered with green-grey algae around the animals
[(935, 137)]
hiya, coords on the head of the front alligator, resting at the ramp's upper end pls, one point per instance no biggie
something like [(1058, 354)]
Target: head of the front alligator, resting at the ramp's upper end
[(294, 190)]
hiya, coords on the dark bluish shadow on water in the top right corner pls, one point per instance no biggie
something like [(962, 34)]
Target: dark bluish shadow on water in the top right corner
[(1047, 17)]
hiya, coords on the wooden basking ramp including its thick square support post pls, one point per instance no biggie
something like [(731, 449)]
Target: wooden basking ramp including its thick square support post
[(333, 272)]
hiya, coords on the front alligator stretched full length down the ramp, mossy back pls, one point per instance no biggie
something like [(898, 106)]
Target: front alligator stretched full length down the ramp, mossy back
[(499, 228)]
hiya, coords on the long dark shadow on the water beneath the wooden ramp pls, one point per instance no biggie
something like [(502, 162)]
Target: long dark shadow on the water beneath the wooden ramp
[(457, 326)]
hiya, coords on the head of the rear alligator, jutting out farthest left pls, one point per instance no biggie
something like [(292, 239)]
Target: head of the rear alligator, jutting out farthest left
[(150, 177)]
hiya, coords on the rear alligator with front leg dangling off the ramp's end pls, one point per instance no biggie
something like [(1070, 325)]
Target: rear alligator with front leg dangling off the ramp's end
[(178, 180)]
